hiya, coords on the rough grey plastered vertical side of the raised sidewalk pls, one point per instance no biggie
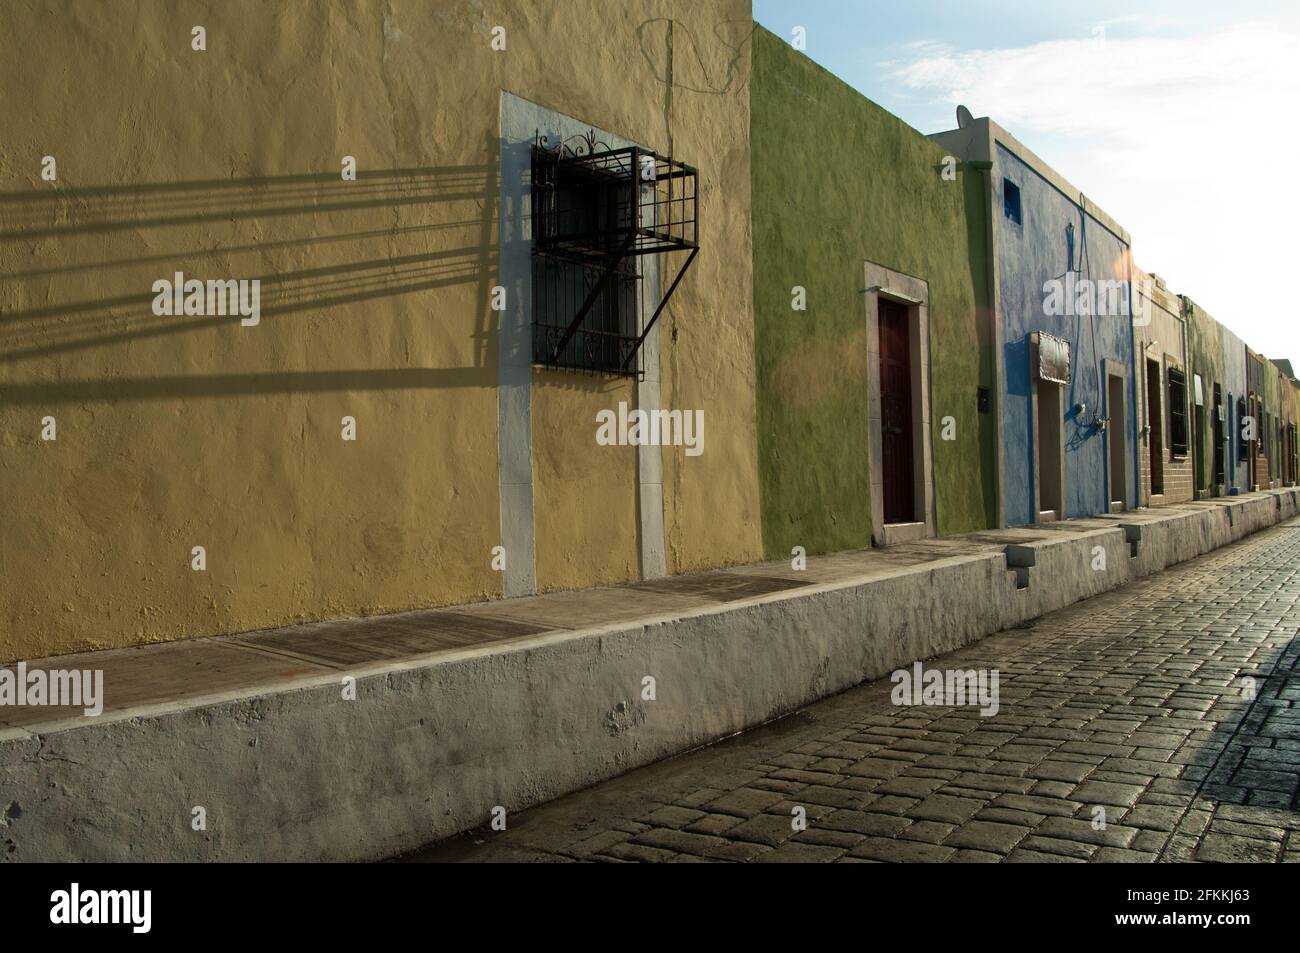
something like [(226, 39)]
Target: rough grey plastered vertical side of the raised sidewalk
[(431, 747)]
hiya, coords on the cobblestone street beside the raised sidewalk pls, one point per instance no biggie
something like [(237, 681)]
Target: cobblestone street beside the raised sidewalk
[(1167, 711)]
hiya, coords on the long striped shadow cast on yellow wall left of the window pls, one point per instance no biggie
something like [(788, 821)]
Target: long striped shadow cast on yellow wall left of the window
[(324, 252)]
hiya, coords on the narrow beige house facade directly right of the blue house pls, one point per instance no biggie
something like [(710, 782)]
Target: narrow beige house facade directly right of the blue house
[(1160, 354)]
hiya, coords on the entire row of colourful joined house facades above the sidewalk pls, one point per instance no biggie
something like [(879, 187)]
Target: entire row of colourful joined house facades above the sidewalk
[(868, 328)]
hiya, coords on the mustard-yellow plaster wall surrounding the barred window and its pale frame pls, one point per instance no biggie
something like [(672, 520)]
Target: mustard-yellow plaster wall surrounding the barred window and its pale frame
[(176, 432)]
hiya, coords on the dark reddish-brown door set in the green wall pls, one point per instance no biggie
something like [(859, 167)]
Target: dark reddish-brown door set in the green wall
[(896, 413)]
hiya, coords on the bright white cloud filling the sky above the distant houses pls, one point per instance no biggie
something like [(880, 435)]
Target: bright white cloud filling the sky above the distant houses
[(1190, 142)]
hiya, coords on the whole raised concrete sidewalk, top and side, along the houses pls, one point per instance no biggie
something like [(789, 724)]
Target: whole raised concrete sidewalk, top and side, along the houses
[(513, 703)]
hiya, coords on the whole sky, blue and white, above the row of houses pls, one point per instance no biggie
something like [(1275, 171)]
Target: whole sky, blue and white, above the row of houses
[(1181, 119)]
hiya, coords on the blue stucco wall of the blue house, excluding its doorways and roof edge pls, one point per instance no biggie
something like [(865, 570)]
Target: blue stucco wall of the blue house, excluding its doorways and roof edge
[(1029, 255)]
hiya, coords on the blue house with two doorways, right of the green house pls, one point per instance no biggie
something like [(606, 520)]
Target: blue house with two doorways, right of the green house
[(1063, 331)]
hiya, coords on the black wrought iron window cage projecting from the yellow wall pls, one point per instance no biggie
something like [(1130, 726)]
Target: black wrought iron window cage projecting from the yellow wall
[(597, 213)]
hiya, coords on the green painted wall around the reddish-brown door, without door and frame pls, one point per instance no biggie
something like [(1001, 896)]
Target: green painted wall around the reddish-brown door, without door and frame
[(839, 181)]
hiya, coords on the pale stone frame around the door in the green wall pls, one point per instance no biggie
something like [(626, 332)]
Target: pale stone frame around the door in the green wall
[(915, 294)]
